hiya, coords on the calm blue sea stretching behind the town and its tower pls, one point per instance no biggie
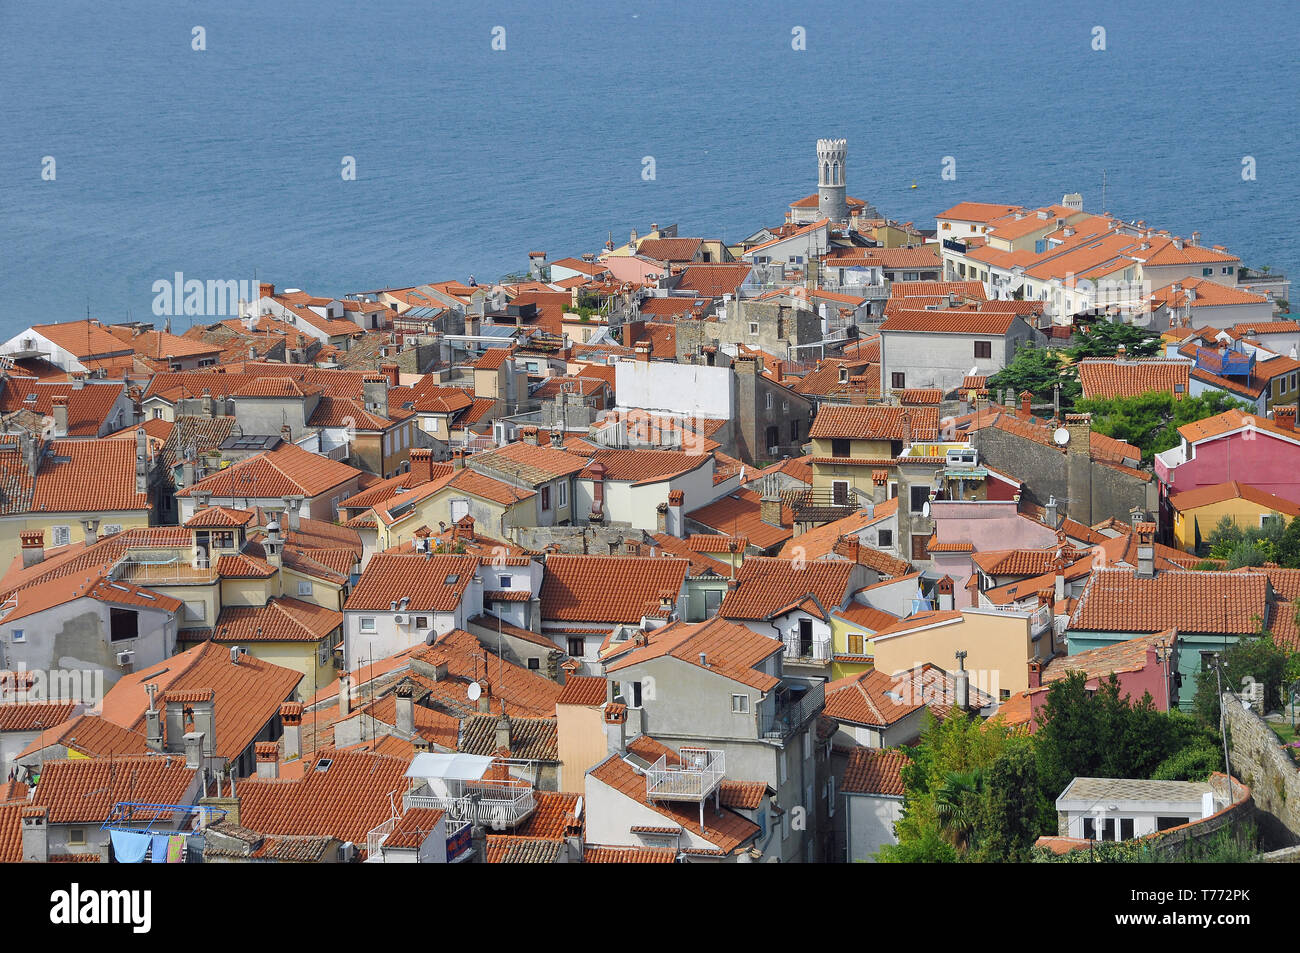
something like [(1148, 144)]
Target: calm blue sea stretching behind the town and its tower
[(227, 163)]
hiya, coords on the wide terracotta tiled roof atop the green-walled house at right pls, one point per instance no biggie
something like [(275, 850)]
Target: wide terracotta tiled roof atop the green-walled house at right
[(1117, 600)]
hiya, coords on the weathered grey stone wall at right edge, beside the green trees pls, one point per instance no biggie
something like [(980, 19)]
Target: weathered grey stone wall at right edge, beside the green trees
[(1262, 763)]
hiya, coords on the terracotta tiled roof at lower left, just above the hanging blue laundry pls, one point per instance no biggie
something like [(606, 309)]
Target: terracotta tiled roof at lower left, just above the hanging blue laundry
[(85, 791)]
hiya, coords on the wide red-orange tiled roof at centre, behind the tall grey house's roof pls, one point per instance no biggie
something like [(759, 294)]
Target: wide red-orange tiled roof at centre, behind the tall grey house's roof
[(609, 590)]
